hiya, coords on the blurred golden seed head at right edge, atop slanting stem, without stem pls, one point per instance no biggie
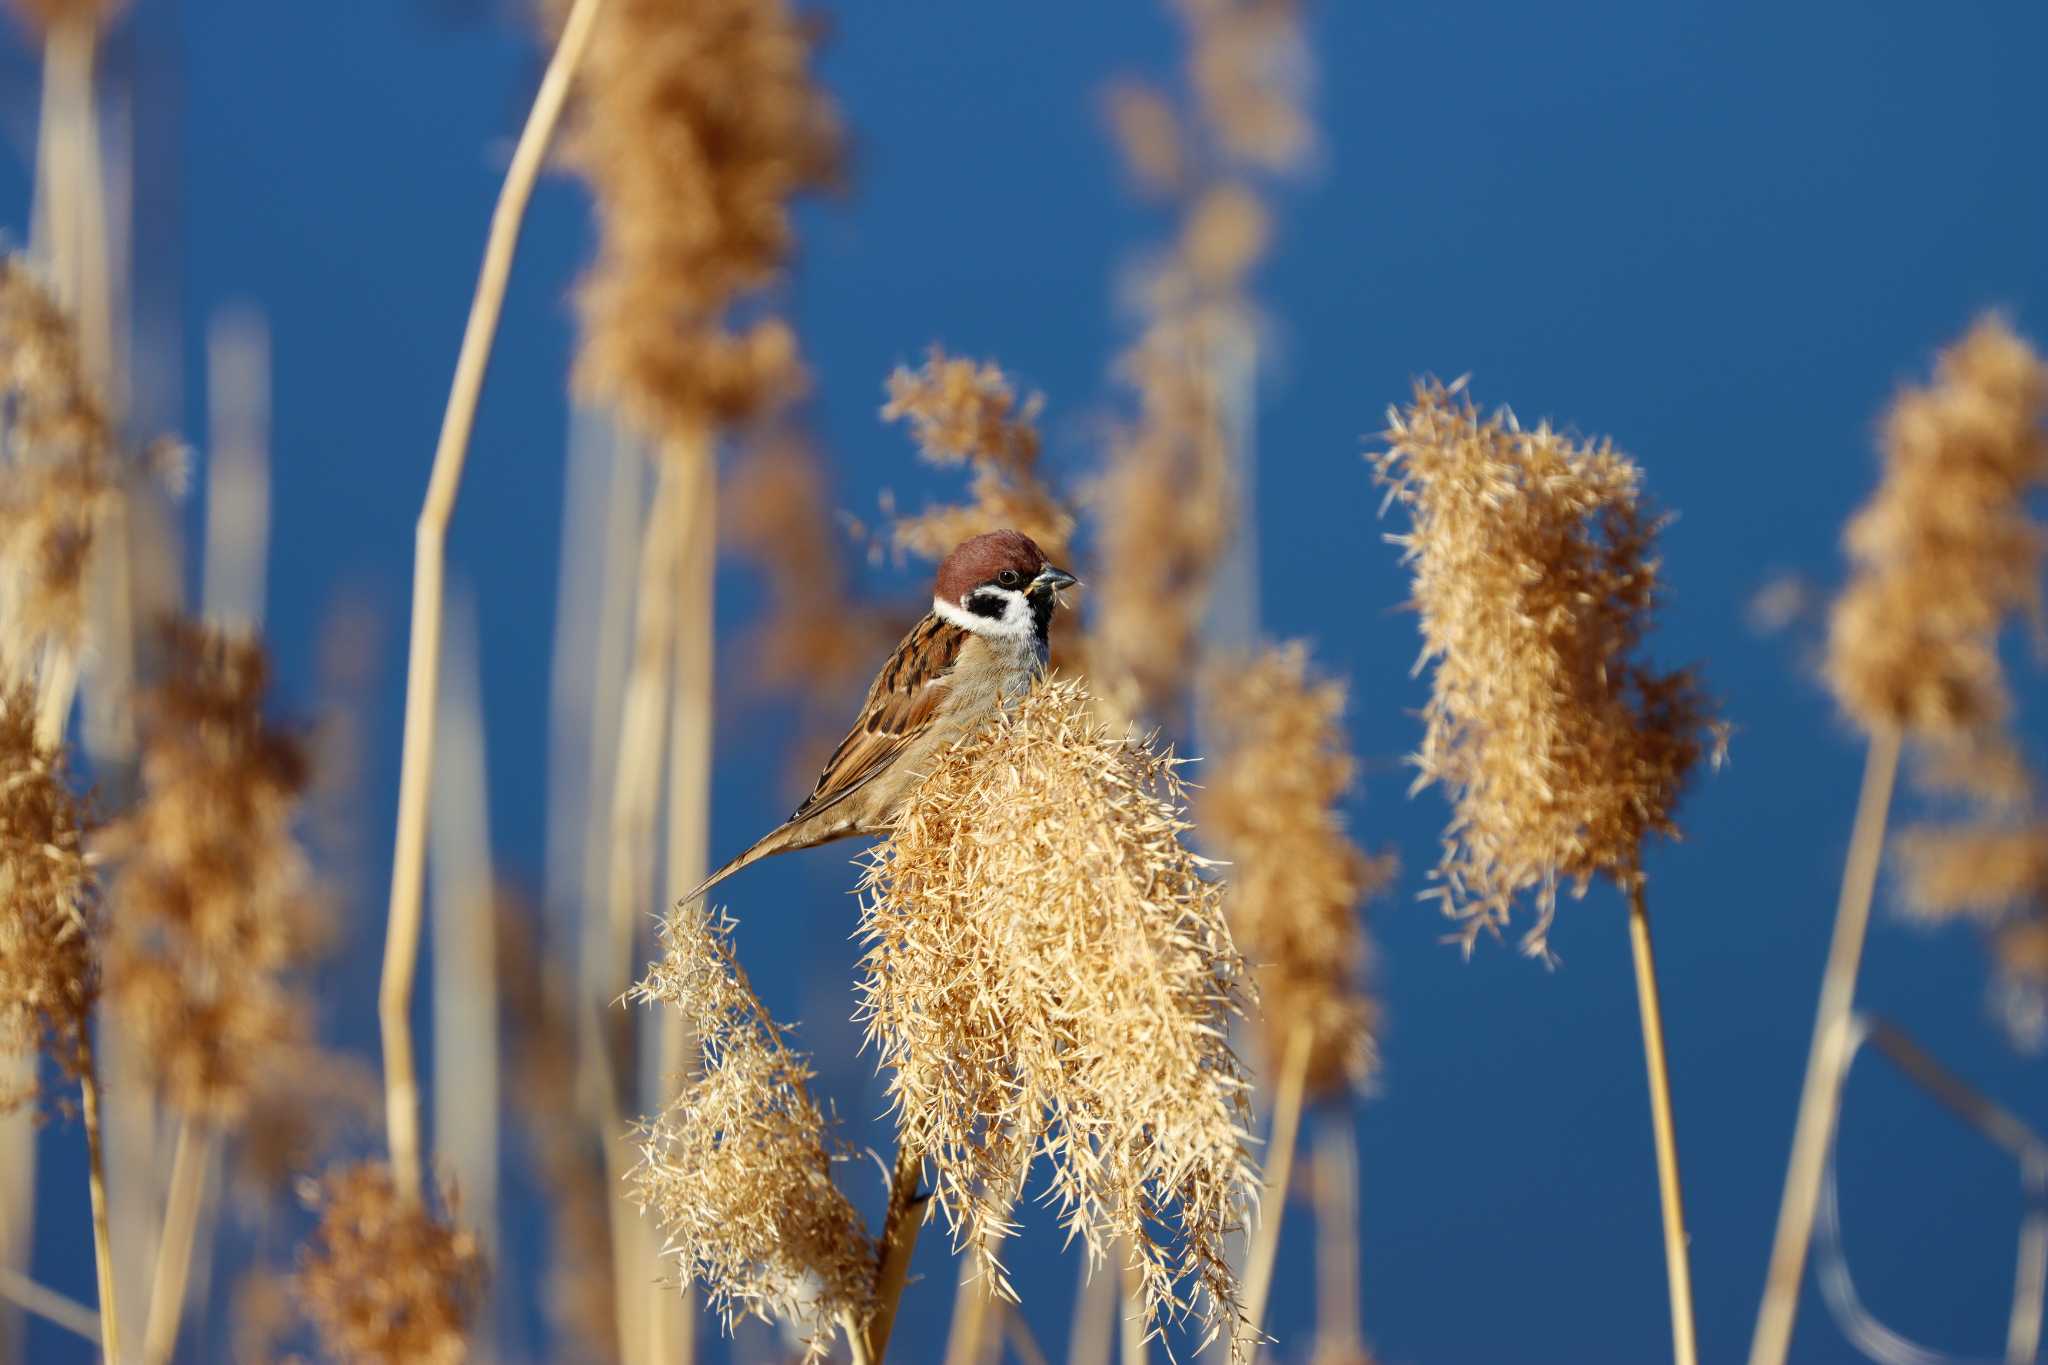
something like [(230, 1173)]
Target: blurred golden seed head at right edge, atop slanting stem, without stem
[(1947, 552)]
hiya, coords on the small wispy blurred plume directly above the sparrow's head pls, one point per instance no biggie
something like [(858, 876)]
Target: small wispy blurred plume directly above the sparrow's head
[(962, 412)]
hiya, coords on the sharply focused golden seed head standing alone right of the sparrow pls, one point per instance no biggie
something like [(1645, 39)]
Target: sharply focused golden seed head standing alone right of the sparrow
[(1535, 584)]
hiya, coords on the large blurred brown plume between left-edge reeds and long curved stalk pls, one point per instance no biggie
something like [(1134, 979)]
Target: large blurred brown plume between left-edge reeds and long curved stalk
[(214, 901)]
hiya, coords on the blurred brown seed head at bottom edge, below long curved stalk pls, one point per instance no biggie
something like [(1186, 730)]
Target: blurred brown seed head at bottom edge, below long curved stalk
[(386, 1280)]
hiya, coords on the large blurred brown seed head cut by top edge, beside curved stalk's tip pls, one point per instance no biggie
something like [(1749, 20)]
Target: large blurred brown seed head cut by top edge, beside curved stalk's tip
[(695, 128)]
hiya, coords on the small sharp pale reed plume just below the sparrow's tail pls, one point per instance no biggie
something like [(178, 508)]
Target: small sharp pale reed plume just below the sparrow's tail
[(738, 1170)]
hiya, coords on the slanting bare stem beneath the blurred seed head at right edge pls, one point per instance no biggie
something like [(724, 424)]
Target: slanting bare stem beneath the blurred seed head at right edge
[(1826, 1059)]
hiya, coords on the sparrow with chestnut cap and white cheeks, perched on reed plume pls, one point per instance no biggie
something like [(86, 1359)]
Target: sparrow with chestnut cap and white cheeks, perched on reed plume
[(980, 648)]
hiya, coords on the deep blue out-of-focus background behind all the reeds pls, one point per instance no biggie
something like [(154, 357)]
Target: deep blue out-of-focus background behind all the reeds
[(1717, 232)]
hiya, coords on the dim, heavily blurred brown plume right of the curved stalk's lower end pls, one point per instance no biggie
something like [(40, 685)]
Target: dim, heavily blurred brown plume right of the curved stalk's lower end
[(542, 1051)]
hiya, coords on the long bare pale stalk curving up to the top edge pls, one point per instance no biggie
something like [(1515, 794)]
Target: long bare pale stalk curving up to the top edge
[(423, 666)]
